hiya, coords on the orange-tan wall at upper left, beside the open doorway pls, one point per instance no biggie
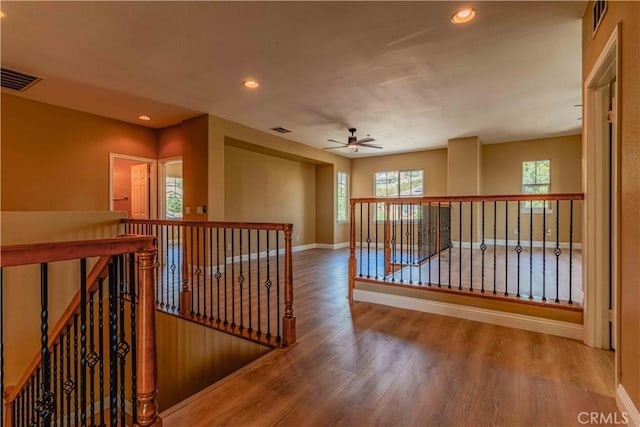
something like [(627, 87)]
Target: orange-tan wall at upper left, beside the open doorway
[(54, 158)]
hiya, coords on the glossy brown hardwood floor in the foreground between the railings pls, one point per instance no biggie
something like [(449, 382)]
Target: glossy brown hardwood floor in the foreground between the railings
[(367, 364)]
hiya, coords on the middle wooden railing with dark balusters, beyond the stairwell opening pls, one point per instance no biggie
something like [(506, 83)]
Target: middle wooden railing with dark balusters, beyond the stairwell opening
[(231, 276)]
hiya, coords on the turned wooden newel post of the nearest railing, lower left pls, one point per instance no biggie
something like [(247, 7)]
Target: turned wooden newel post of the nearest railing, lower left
[(146, 367)]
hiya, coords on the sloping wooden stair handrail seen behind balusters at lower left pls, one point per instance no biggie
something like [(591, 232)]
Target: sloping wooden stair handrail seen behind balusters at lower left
[(99, 271)]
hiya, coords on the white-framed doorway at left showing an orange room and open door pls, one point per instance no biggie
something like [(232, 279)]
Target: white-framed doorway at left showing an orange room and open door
[(133, 186)]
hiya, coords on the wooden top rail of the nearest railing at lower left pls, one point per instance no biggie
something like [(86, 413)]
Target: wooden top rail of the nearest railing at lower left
[(36, 253)]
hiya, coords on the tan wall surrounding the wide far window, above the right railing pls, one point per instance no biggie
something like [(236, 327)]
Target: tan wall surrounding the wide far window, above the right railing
[(433, 162)]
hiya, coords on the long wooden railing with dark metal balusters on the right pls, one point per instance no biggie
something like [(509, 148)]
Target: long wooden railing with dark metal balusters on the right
[(519, 247)]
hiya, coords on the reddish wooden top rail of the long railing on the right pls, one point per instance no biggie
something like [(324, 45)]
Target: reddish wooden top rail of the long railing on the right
[(450, 199)]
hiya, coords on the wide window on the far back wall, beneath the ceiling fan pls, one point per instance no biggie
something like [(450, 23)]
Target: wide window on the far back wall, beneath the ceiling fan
[(398, 184)]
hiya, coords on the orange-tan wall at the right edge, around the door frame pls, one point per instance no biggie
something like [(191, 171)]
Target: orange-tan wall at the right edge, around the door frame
[(628, 15)]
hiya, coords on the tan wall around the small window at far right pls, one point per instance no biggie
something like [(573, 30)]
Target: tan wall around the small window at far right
[(502, 174)]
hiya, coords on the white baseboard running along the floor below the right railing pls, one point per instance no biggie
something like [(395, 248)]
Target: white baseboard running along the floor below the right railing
[(512, 320)]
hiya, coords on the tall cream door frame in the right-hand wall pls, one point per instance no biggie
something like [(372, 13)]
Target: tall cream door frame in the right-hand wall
[(596, 272)]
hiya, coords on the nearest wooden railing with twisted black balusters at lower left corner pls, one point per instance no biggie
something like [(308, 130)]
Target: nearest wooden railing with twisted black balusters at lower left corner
[(65, 382)]
